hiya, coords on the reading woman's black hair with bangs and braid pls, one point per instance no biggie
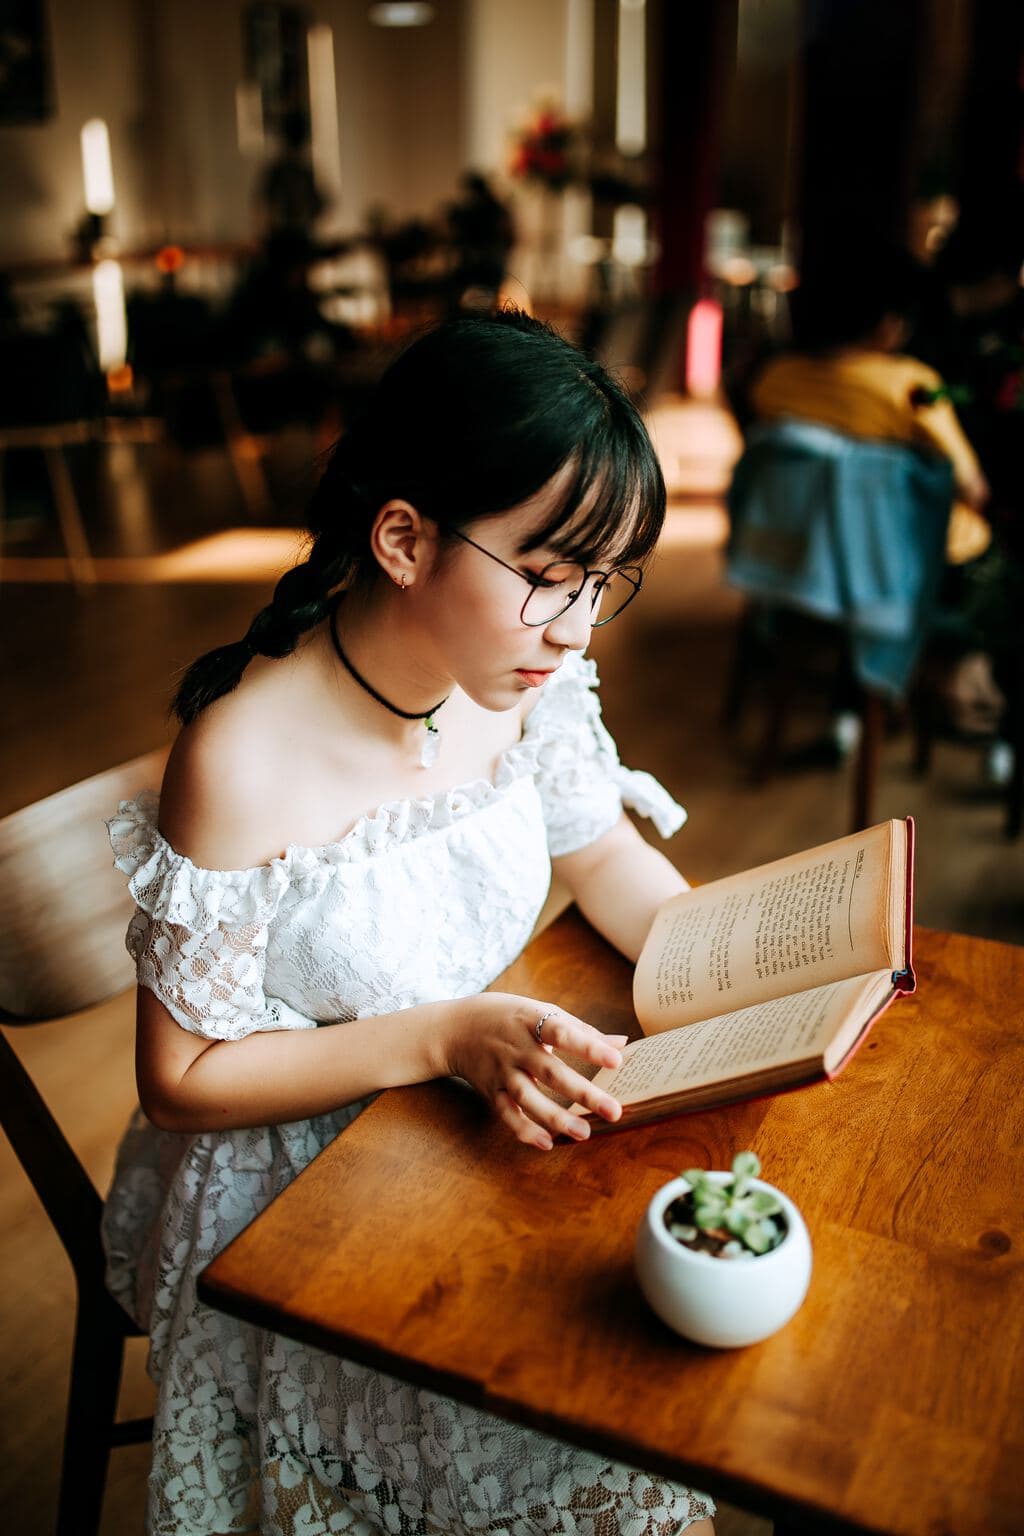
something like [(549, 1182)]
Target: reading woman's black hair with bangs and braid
[(474, 419)]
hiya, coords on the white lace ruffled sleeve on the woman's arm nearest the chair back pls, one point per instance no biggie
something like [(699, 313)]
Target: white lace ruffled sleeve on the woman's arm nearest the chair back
[(199, 938)]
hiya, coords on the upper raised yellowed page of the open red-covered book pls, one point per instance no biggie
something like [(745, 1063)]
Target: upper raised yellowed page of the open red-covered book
[(782, 929)]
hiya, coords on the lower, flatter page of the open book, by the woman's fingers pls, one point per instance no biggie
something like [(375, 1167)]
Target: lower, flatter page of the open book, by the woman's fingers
[(750, 1041)]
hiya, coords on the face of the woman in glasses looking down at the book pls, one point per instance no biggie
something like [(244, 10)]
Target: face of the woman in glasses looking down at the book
[(472, 607)]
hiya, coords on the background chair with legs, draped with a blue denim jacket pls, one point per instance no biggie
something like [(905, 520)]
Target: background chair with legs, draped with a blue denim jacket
[(839, 545)]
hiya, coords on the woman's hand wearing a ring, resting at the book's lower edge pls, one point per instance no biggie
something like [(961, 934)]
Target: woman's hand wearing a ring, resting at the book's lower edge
[(494, 1045)]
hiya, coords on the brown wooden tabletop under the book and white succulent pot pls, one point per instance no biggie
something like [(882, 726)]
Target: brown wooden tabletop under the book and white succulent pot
[(426, 1243)]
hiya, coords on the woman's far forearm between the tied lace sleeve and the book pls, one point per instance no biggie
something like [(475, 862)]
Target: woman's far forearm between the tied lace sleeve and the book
[(619, 882)]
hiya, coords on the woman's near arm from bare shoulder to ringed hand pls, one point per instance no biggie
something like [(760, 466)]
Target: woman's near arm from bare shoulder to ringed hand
[(222, 807)]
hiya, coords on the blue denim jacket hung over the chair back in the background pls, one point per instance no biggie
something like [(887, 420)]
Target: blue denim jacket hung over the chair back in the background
[(847, 529)]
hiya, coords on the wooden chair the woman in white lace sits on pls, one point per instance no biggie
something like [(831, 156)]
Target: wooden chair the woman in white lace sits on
[(64, 913)]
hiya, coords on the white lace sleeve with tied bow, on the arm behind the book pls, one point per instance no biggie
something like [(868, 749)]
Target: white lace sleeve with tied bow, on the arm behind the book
[(580, 776)]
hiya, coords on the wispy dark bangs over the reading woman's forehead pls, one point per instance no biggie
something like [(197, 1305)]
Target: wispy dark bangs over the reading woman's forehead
[(613, 508)]
